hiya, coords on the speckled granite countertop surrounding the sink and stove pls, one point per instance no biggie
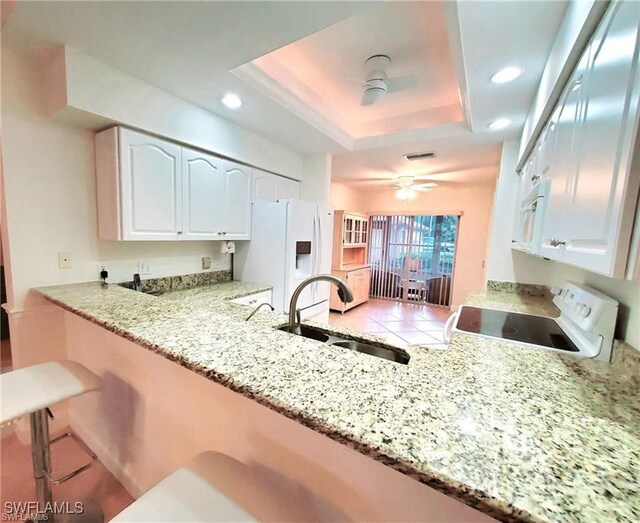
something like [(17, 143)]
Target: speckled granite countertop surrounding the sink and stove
[(520, 434)]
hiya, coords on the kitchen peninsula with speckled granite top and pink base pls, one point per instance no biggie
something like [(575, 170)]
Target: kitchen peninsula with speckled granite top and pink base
[(517, 434)]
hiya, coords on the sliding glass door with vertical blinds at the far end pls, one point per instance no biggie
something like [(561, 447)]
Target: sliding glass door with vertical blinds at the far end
[(412, 257)]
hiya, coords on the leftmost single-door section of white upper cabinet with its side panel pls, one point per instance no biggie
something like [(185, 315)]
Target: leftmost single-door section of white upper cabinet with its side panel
[(139, 186)]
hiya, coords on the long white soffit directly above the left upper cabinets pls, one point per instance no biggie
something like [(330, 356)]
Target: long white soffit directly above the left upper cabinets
[(77, 83)]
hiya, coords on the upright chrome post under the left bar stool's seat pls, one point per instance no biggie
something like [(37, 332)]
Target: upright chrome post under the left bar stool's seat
[(41, 460)]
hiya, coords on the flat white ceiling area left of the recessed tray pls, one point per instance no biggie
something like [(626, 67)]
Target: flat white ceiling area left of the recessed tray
[(187, 48)]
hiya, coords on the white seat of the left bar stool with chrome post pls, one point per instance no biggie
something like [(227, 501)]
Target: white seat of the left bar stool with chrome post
[(27, 390)]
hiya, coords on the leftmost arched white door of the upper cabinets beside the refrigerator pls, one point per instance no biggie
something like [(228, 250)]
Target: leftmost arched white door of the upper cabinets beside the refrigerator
[(151, 200)]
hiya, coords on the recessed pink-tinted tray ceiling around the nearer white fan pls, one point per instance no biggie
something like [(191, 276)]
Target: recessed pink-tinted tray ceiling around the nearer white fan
[(327, 71)]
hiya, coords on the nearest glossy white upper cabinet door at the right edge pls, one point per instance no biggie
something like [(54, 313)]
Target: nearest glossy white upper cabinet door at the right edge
[(598, 222)]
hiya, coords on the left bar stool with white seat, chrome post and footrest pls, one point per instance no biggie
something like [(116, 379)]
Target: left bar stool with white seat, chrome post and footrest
[(32, 390)]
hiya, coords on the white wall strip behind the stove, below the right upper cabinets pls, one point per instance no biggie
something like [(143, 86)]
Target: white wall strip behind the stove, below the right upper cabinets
[(504, 264)]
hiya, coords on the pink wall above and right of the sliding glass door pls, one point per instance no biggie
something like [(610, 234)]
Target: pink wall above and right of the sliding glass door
[(474, 202)]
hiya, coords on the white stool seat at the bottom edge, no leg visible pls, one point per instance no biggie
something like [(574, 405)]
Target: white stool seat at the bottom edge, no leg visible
[(214, 487)]
